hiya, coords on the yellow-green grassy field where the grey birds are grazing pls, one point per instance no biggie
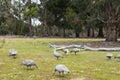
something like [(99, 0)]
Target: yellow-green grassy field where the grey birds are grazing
[(86, 65)]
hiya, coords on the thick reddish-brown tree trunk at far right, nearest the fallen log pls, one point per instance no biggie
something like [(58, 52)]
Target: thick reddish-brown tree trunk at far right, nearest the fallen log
[(112, 23)]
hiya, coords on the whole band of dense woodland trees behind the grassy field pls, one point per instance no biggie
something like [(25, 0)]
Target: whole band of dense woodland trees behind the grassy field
[(62, 18)]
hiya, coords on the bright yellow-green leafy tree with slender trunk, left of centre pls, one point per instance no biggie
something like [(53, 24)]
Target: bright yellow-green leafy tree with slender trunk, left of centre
[(30, 12)]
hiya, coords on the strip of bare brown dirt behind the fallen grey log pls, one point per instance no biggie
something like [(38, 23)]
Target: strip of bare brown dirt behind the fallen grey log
[(92, 44)]
